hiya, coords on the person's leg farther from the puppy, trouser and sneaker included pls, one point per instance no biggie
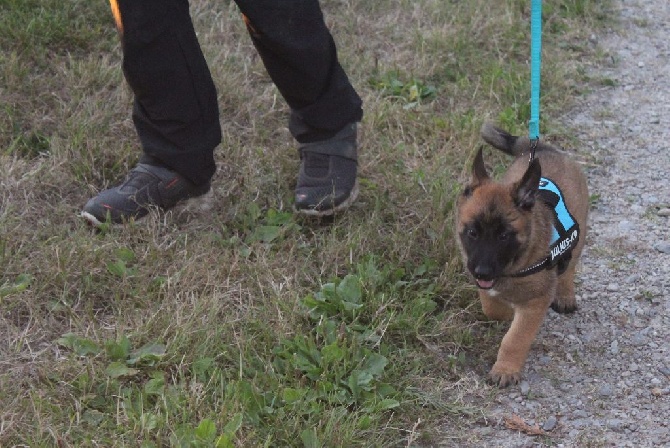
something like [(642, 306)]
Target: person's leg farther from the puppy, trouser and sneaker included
[(175, 110)]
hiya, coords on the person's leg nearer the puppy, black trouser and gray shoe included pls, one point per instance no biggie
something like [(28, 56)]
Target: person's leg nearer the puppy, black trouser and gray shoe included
[(301, 58)]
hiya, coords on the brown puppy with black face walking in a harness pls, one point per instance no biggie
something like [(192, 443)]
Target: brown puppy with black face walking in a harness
[(521, 238)]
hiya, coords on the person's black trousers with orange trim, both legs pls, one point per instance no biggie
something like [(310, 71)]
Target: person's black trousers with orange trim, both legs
[(175, 110)]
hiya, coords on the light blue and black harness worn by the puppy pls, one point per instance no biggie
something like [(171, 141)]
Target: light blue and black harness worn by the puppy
[(565, 233)]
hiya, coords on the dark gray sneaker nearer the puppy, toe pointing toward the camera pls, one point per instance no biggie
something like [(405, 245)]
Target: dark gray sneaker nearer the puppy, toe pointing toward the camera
[(327, 180)]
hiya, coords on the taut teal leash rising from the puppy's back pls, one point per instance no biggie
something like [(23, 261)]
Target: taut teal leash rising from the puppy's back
[(535, 69)]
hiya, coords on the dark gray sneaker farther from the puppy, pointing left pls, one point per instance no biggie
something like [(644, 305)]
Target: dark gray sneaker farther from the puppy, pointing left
[(146, 186)]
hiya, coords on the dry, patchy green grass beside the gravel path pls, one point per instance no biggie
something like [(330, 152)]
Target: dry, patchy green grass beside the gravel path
[(242, 324)]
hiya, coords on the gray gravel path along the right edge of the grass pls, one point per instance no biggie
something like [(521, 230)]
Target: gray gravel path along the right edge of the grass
[(601, 377)]
